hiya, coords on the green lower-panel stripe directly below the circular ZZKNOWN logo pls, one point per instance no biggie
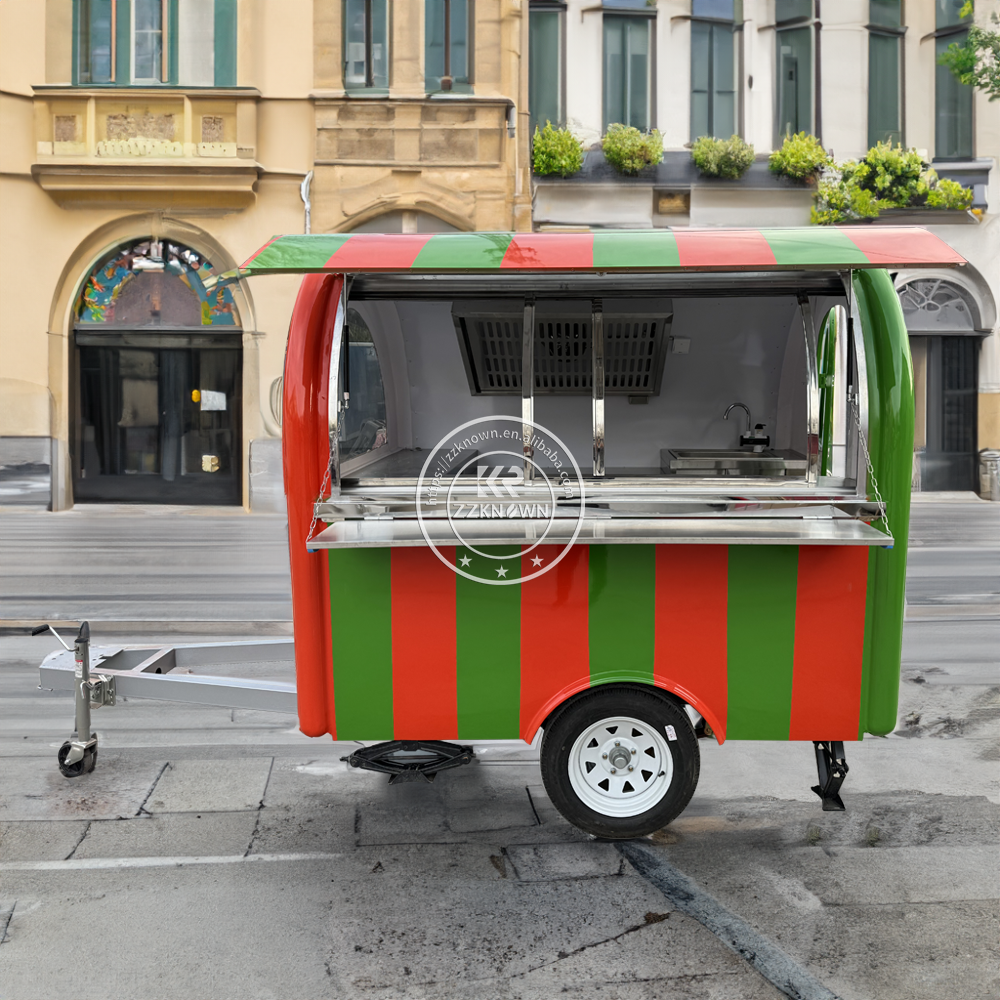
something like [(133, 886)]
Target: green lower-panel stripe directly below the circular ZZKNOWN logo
[(488, 641)]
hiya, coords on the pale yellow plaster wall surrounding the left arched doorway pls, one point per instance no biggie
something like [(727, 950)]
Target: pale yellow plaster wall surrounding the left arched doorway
[(50, 241)]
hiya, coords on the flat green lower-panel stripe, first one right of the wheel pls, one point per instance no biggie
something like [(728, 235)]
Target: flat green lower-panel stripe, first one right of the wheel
[(761, 640)]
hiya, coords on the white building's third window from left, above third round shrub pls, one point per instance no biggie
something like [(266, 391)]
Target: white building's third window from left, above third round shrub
[(714, 71)]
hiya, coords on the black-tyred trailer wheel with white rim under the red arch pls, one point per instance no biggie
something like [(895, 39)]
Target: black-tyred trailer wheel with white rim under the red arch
[(620, 761)]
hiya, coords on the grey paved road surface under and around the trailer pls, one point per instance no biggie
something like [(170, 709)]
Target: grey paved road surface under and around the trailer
[(222, 853)]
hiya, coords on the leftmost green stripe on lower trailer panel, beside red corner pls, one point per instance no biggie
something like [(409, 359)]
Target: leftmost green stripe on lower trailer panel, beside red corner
[(361, 630)]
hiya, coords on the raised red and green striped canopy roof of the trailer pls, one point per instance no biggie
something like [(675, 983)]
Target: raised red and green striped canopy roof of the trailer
[(815, 248)]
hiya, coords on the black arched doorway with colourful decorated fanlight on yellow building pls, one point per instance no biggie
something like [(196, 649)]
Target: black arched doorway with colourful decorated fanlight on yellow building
[(158, 366)]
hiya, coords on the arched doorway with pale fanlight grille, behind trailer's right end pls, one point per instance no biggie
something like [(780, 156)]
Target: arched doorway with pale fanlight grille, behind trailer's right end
[(943, 321)]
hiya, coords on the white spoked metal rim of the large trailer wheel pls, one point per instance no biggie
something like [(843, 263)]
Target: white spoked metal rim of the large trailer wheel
[(621, 766)]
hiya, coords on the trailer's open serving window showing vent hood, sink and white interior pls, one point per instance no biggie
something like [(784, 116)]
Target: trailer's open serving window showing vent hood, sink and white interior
[(702, 388)]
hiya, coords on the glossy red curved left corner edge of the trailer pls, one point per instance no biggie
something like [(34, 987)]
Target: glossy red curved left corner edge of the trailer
[(305, 447)]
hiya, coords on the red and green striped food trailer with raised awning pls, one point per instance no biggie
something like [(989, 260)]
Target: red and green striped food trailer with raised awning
[(614, 491)]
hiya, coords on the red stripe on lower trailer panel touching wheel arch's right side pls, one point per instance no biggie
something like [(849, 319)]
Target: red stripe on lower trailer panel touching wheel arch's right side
[(692, 600)]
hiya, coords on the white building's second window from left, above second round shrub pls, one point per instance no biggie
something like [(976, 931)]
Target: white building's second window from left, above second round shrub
[(628, 70)]
